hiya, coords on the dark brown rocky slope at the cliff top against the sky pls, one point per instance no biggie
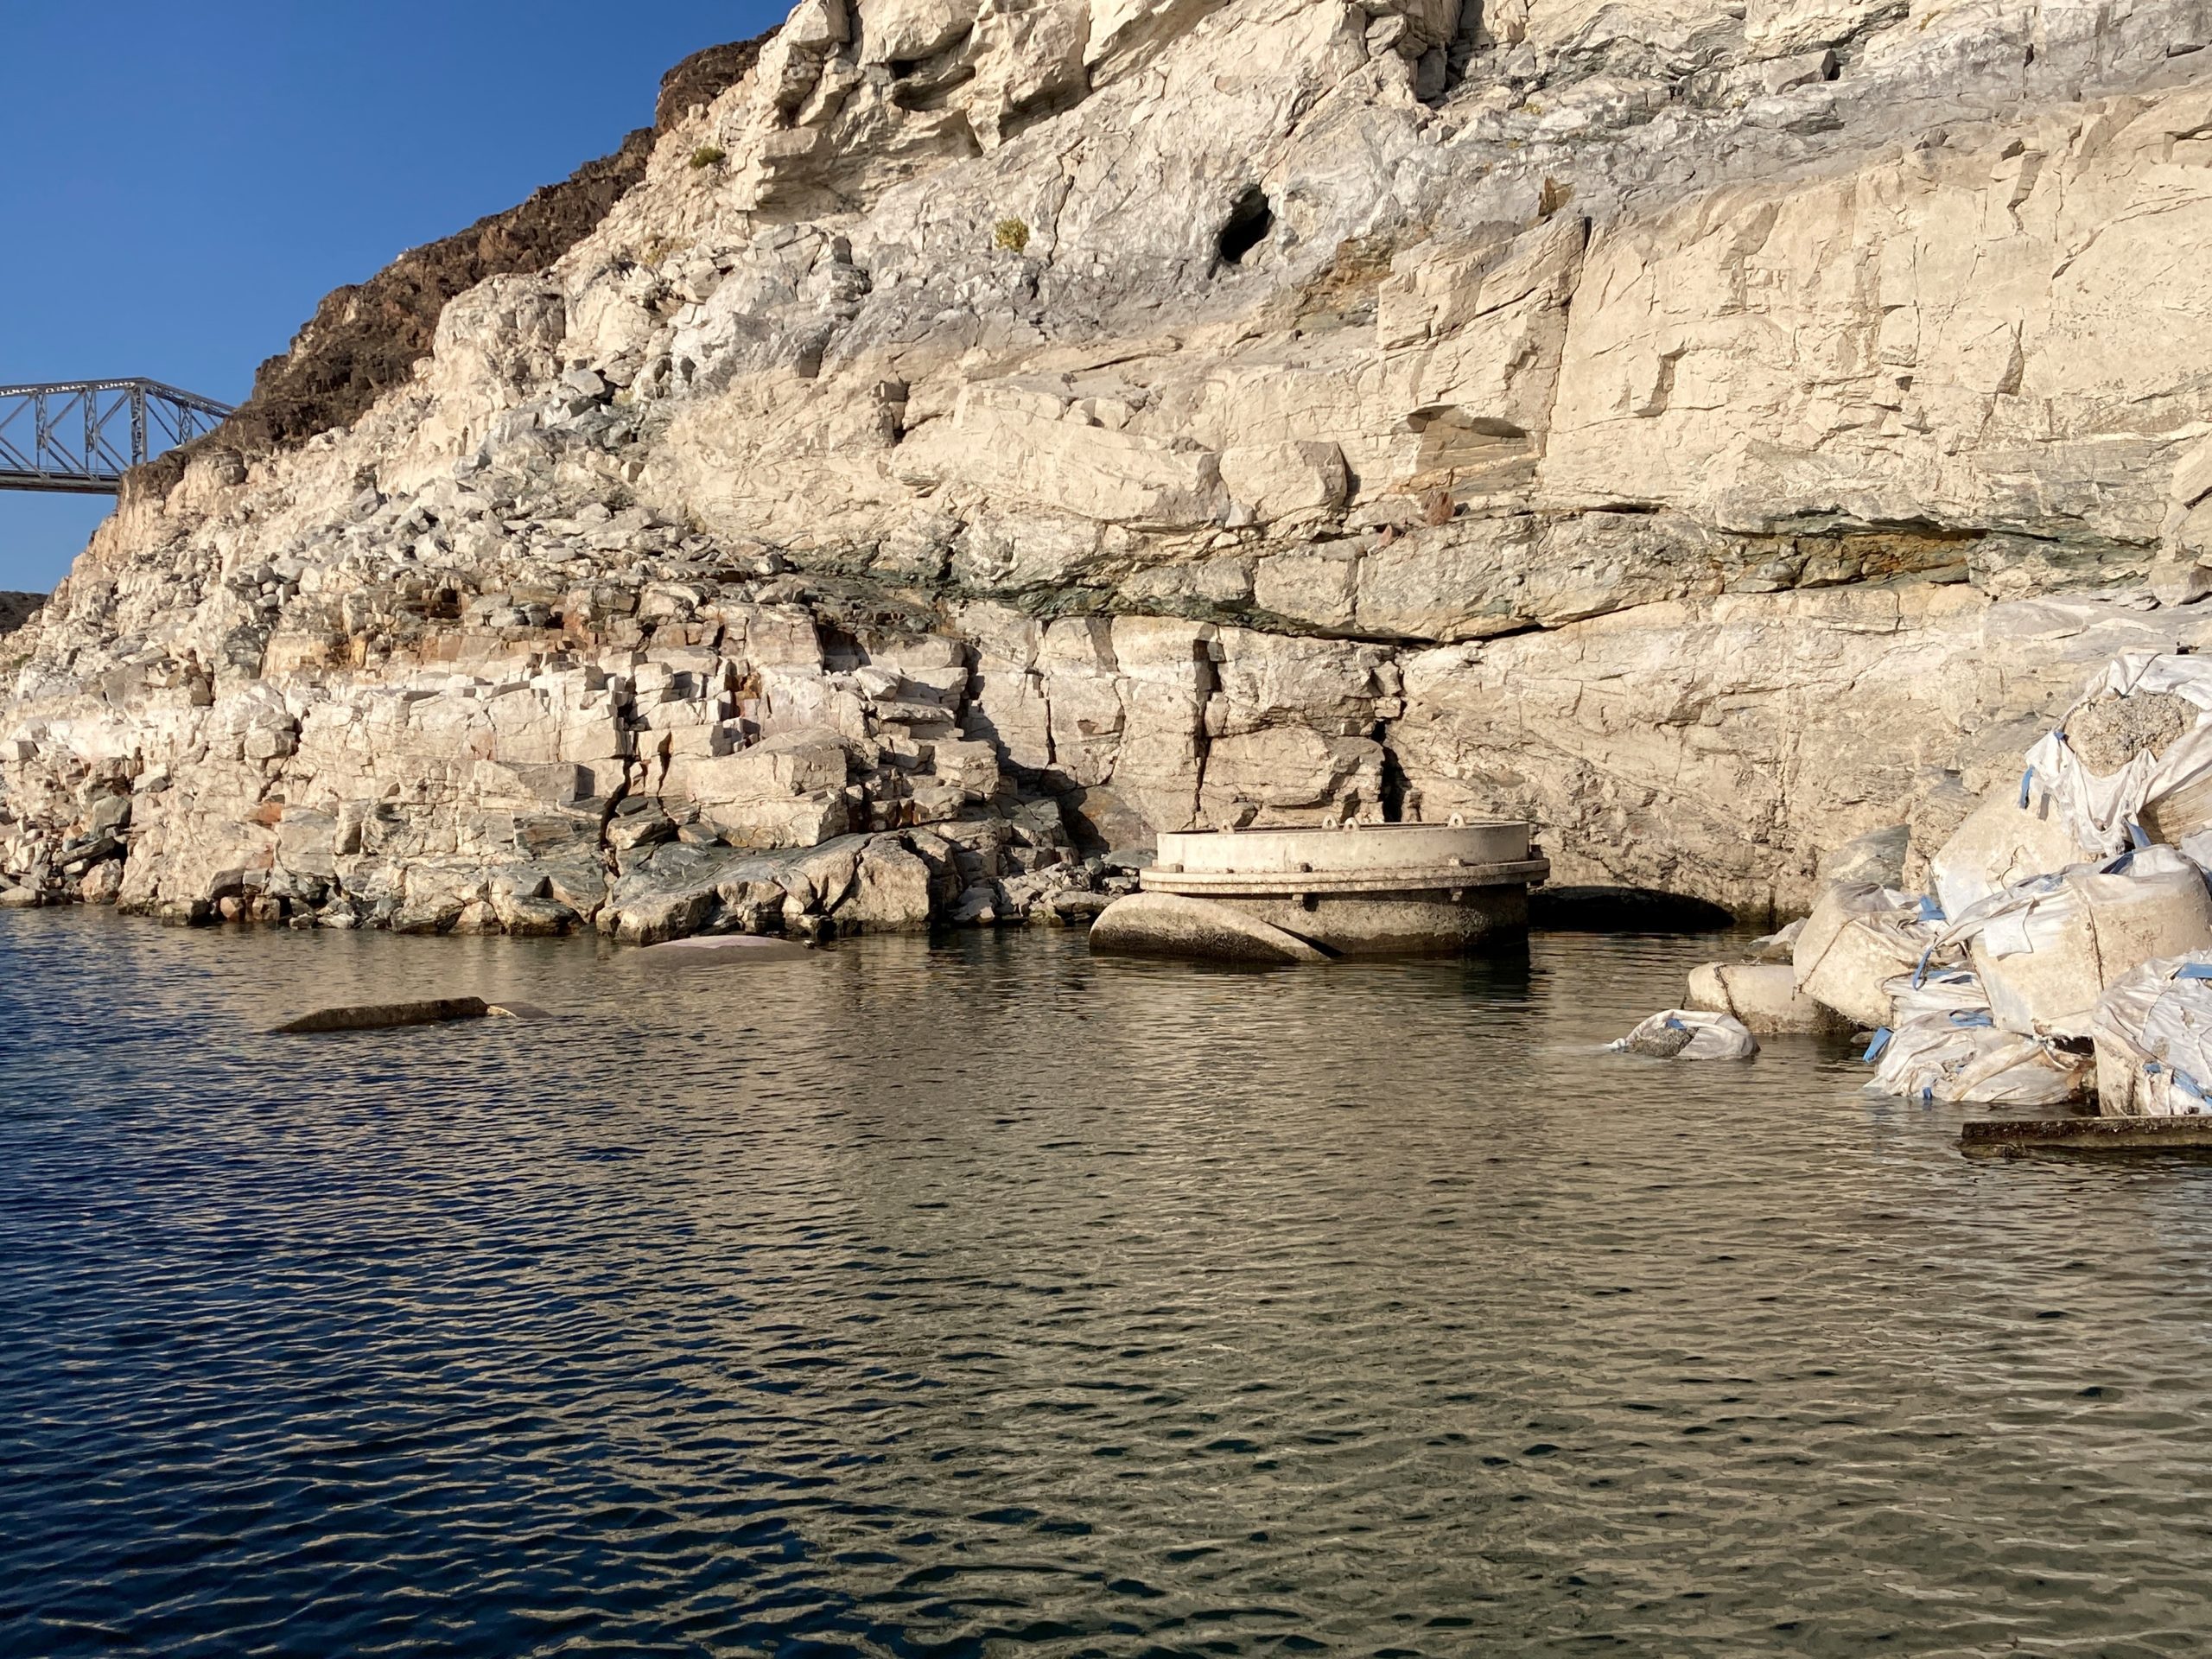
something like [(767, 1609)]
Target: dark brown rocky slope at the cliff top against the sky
[(366, 337)]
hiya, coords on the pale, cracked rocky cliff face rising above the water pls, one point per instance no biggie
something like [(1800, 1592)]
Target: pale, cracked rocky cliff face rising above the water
[(988, 432)]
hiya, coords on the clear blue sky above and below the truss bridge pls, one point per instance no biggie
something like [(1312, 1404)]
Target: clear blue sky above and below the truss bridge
[(185, 182)]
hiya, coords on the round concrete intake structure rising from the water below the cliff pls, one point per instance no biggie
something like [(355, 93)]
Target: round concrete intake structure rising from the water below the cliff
[(1364, 890)]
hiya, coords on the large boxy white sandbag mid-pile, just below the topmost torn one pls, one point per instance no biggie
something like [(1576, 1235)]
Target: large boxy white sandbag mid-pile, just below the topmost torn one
[(2049, 948)]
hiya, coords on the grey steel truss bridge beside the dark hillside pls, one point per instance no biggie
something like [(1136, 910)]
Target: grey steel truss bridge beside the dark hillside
[(81, 437)]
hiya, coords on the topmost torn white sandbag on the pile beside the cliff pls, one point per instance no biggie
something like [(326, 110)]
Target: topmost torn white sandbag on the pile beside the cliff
[(2164, 789)]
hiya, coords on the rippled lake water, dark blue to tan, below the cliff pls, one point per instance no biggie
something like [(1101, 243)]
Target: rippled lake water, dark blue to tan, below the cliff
[(992, 1300)]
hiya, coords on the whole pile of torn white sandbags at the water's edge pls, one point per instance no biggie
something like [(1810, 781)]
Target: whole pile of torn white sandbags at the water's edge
[(2054, 901)]
